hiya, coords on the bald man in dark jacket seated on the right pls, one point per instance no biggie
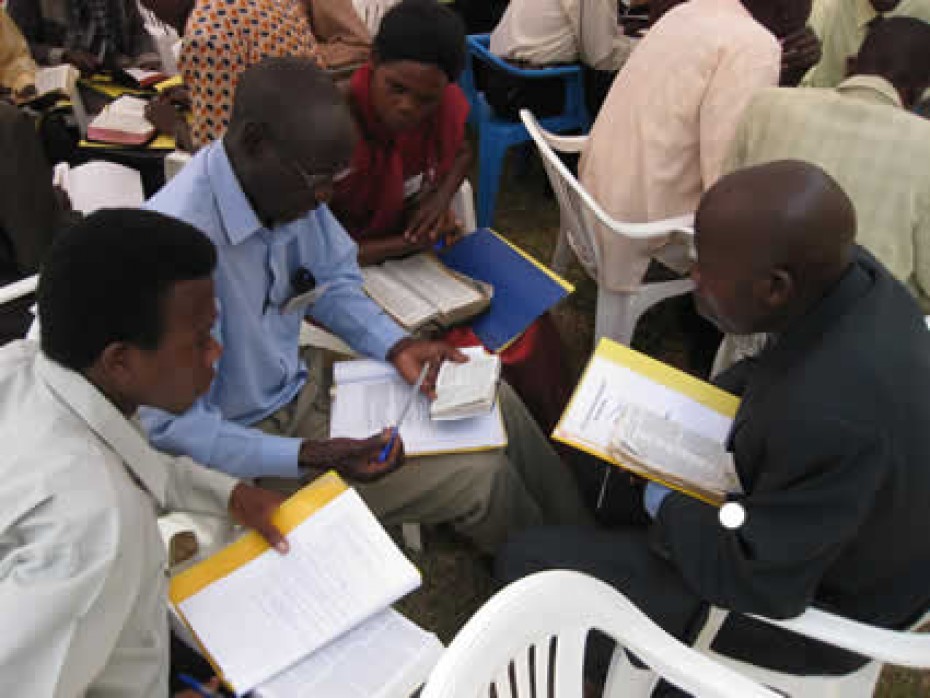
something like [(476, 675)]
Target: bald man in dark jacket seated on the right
[(830, 441)]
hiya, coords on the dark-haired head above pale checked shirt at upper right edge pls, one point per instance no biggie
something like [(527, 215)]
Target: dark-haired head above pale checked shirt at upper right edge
[(897, 49)]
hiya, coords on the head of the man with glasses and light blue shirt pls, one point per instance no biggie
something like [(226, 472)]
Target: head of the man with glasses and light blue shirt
[(289, 134)]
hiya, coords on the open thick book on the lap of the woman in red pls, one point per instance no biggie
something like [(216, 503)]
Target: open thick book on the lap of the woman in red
[(420, 290)]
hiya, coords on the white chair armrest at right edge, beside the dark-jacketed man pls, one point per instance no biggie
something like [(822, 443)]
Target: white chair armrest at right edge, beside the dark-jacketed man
[(892, 646)]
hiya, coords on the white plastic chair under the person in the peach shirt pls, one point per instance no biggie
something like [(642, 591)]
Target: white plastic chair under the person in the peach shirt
[(617, 313)]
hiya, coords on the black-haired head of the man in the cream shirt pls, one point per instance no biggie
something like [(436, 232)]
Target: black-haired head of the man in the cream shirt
[(126, 298)]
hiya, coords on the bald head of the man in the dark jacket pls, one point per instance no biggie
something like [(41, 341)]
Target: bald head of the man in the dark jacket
[(771, 240)]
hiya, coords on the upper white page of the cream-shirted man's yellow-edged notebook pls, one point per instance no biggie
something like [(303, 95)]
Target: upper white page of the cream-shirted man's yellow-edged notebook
[(276, 609)]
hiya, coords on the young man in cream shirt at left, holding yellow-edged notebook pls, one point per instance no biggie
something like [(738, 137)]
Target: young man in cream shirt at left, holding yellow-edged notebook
[(127, 306)]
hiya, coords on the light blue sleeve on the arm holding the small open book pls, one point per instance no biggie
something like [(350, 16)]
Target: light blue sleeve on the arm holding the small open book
[(345, 309)]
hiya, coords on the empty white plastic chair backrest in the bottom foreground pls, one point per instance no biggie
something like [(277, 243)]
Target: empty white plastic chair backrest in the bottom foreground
[(539, 625)]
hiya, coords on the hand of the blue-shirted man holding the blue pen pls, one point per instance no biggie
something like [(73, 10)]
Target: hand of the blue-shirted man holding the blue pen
[(354, 459)]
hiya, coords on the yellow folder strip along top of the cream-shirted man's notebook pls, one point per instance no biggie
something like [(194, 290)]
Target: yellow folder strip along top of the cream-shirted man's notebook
[(297, 509)]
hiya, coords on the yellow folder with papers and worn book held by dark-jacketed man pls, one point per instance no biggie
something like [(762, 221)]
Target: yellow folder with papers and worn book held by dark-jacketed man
[(653, 420)]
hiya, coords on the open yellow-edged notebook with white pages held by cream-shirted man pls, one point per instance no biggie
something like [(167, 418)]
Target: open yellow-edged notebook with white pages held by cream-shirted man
[(267, 621)]
